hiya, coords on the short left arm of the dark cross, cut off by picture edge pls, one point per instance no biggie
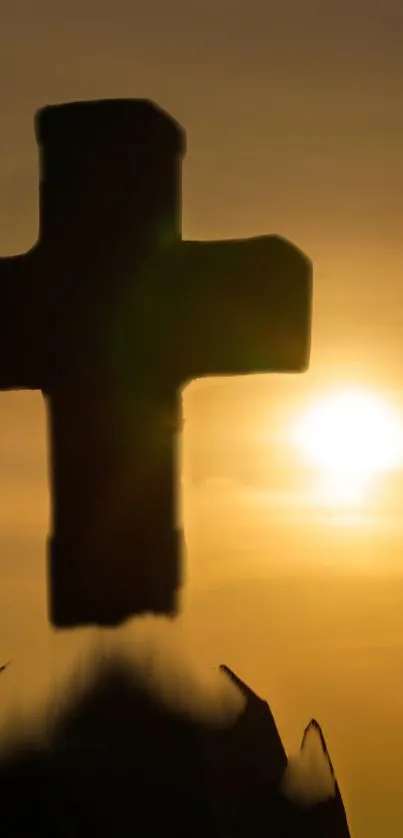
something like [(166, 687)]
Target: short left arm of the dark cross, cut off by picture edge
[(20, 332)]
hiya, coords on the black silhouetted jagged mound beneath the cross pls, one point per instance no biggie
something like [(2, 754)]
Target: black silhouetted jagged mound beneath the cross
[(120, 764)]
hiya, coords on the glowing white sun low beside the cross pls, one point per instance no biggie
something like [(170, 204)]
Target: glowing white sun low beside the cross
[(349, 437)]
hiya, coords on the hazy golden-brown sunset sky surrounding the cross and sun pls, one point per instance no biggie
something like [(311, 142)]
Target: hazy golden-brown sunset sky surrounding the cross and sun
[(294, 121)]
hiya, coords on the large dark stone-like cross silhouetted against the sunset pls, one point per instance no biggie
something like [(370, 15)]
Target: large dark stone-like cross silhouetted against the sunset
[(110, 315)]
